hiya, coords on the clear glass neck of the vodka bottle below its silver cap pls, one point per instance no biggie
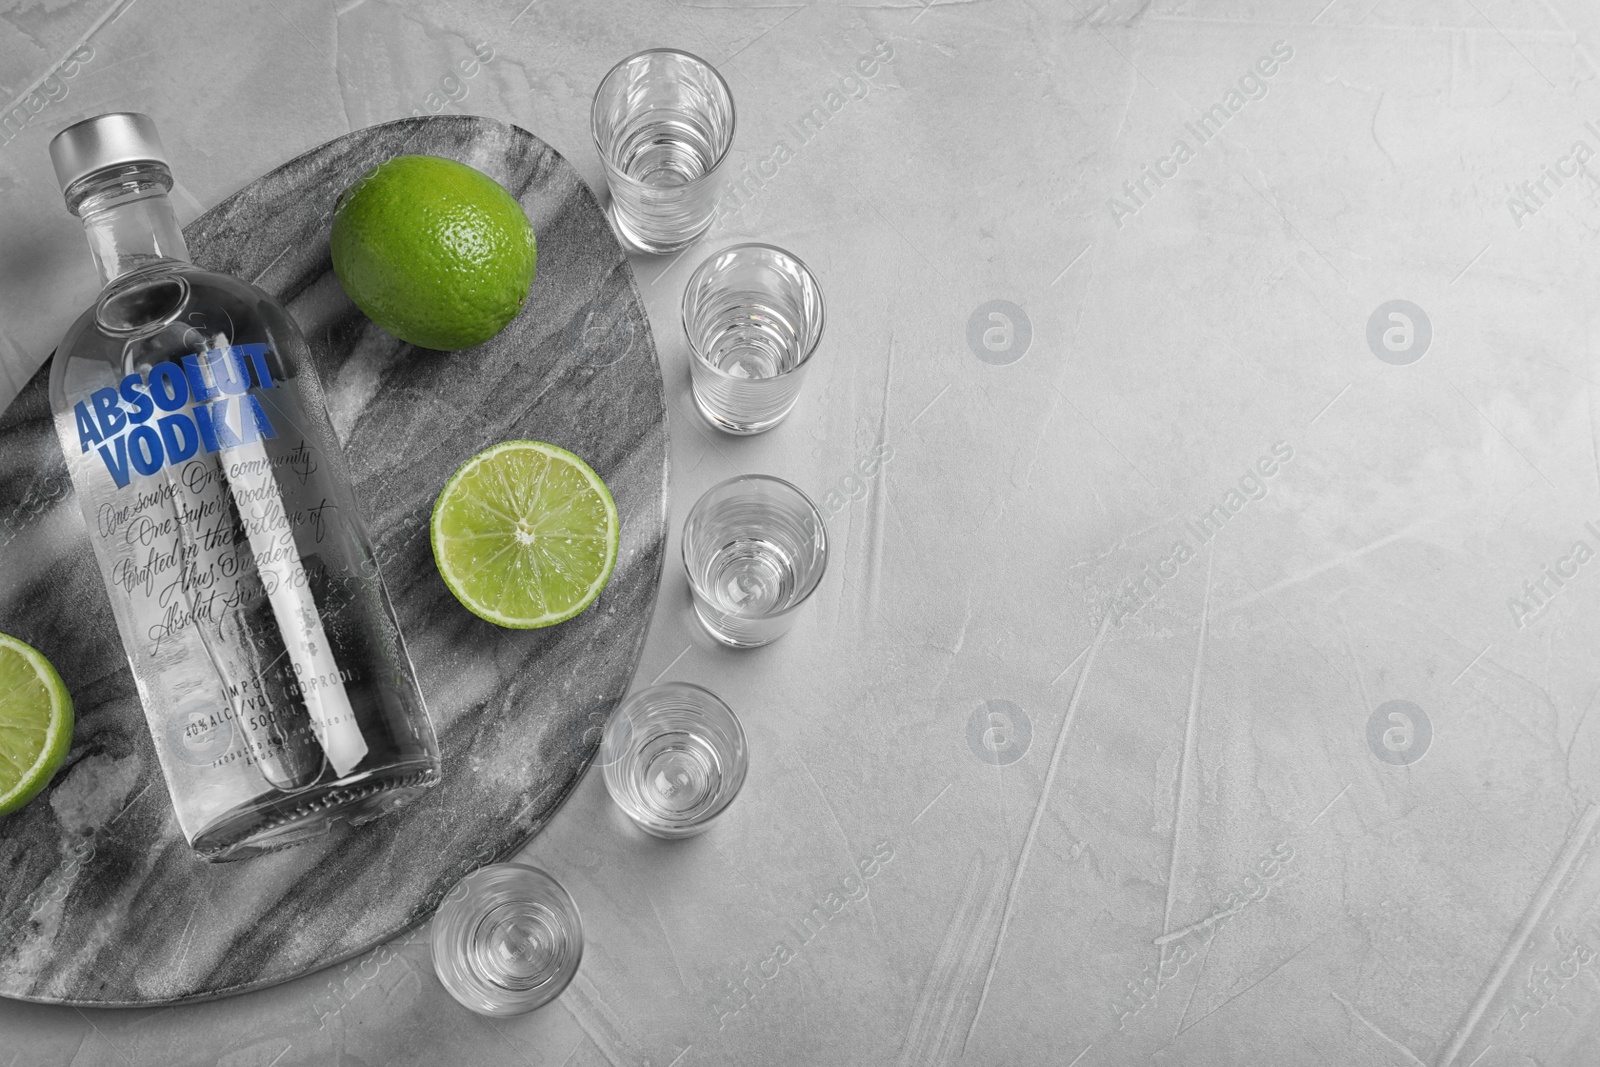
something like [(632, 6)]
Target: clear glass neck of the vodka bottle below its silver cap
[(129, 218)]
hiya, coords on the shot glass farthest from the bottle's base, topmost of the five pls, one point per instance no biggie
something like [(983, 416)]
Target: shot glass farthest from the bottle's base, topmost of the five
[(663, 124)]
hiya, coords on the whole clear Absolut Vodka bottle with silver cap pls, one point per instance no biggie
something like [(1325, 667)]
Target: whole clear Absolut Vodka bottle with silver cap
[(262, 639)]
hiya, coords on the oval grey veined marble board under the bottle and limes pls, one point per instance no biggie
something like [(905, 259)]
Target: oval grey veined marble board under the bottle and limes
[(102, 901)]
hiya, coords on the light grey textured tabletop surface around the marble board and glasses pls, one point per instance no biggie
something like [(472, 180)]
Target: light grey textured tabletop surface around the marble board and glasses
[(1188, 676)]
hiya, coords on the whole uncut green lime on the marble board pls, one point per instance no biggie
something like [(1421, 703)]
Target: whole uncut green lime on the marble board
[(434, 252)]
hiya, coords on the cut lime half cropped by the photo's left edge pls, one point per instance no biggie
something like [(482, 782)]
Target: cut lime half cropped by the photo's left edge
[(36, 724)]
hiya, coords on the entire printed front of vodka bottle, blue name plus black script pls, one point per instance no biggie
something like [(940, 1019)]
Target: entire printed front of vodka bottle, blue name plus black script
[(206, 498)]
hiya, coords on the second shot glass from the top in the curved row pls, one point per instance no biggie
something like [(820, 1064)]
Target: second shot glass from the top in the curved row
[(754, 318)]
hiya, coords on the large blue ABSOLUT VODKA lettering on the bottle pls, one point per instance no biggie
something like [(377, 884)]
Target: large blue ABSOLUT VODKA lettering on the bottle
[(178, 412)]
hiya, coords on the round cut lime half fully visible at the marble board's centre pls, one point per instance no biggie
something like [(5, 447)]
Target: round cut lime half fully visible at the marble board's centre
[(526, 535)]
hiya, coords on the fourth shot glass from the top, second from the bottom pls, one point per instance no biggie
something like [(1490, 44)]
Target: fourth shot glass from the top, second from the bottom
[(674, 759)]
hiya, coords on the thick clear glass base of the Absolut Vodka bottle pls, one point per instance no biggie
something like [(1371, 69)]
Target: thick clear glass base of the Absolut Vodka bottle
[(281, 821)]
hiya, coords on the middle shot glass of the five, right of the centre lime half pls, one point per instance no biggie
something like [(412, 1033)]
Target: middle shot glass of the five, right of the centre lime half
[(756, 549)]
